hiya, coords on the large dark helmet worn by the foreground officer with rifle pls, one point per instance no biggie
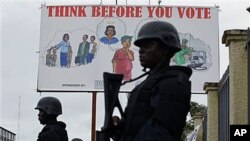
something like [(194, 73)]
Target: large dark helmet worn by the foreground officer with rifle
[(162, 31)]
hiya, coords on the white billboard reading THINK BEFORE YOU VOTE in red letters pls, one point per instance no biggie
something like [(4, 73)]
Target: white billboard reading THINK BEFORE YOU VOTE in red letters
[(80, 42)]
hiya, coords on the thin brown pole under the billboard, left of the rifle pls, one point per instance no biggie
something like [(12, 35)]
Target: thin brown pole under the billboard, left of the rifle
[(93, 133)]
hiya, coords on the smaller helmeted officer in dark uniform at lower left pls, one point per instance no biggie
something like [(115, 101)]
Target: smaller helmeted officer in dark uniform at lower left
[(49, 108)]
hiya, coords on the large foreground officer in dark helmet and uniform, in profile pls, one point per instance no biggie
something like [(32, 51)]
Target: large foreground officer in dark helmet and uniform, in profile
[(157, 108)]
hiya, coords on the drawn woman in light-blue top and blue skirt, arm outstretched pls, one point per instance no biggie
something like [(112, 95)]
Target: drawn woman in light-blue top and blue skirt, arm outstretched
[(64, 45)]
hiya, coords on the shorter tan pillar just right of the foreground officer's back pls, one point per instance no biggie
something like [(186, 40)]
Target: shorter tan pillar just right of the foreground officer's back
[(212, 110)]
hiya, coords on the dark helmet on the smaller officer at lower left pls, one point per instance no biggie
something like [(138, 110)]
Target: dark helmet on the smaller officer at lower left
[(51, 105)]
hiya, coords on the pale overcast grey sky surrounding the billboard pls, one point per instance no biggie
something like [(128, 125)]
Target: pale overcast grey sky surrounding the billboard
[(19, 44)]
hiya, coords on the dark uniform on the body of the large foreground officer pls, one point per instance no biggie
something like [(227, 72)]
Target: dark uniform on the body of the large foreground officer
[(159, 106)]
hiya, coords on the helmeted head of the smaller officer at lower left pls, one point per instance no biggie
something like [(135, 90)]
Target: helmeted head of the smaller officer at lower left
[(49, 108)]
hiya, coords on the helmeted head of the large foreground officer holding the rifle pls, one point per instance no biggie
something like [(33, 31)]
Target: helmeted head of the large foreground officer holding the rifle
[(158, 41)]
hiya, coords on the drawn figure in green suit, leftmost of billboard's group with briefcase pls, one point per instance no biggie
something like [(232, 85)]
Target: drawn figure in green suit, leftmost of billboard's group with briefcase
[(83, 50)]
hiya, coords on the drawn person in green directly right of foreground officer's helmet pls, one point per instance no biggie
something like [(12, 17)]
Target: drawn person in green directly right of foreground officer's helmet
[(184, 54)]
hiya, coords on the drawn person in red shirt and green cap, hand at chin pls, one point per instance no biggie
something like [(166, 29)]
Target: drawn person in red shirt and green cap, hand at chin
[(123, 57)]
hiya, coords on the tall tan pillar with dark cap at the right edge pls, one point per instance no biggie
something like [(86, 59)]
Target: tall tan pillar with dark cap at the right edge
[(236, 41)]
